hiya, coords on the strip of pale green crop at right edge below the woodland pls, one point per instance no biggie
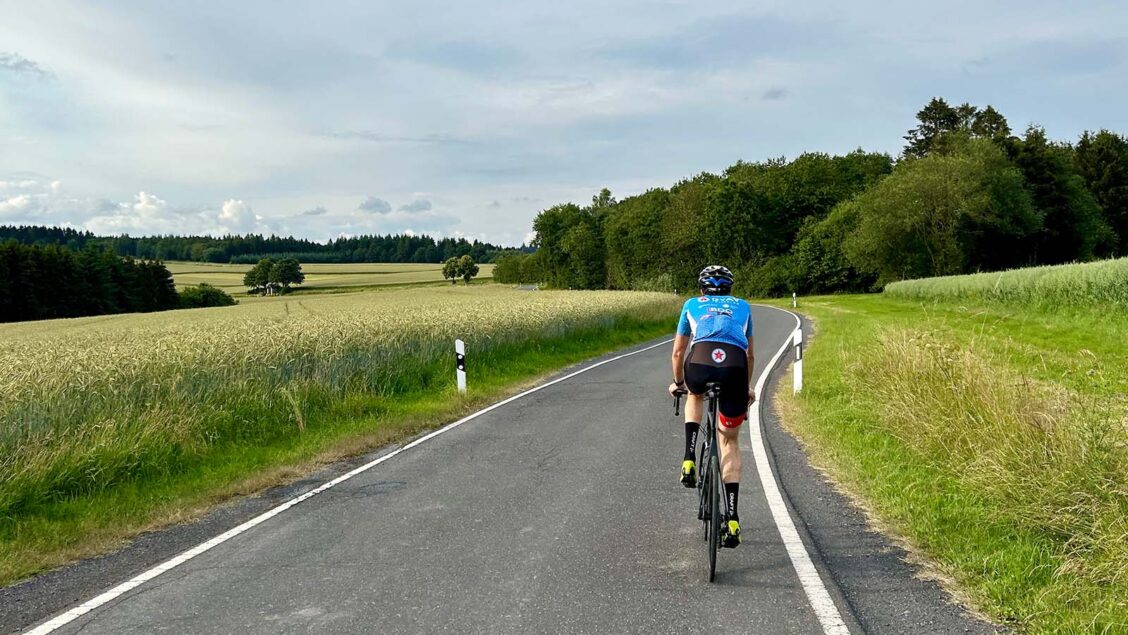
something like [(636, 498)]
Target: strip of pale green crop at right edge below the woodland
[(1103, 284)]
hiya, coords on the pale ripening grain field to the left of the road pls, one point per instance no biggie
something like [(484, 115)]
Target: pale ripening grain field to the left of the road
[(86, 405)]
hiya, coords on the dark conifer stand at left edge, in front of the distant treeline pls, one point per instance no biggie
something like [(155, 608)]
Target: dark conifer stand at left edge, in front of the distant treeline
[(52, 281)]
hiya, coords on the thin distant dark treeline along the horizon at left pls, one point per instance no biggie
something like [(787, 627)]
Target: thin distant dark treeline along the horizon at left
[(252, 249)]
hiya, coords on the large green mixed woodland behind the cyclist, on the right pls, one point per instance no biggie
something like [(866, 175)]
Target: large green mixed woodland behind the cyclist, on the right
[(967, 195)]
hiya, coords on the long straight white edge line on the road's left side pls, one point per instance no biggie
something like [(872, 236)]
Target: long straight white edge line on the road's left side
[(173, 563)]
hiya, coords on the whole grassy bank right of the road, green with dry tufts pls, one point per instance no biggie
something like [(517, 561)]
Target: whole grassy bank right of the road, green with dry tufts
[(992, 439)]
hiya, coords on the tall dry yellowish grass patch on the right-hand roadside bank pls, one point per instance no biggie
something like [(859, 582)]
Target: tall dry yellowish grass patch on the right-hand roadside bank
[(1053, 463)]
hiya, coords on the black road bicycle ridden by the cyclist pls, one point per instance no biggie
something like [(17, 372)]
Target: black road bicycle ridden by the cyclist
[(711, 508)]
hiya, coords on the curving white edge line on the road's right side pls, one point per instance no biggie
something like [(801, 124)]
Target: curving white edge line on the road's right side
[(817, 594)]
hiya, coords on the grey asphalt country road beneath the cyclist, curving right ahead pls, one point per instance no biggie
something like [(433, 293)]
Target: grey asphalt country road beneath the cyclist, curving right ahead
[(559, 513)]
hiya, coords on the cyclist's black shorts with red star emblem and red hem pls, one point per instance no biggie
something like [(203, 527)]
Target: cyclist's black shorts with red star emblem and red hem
[(727, 365)]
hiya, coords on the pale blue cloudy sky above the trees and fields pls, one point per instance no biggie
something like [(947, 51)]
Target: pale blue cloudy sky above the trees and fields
[(322, 120)]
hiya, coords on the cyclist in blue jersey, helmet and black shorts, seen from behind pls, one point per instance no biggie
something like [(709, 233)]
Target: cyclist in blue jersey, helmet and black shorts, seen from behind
[(717, 330)]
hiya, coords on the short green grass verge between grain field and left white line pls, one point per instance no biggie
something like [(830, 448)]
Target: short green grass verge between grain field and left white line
[(57, 532)]
